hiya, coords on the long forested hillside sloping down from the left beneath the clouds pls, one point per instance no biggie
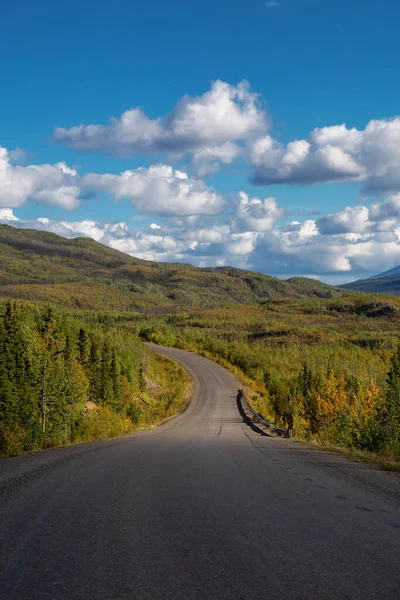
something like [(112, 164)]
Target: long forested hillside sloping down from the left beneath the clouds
[(81, 273)]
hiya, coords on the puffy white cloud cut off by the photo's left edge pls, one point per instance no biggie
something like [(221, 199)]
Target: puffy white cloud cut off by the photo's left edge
[(48, 184)]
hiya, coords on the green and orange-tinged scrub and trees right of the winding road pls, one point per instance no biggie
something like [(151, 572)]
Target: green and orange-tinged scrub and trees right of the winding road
[(333, 366)]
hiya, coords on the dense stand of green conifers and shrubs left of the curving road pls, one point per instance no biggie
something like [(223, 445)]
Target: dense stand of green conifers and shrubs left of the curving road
[(64, 381)]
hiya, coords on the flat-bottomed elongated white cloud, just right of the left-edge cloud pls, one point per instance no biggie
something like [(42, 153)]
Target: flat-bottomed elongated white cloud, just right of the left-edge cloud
[(160, 190)]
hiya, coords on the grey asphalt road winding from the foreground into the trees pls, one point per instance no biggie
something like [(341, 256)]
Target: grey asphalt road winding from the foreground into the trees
[(201, 508)]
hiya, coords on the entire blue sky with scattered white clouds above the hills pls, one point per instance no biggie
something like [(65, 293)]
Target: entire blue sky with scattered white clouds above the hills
[(263, 135)]
